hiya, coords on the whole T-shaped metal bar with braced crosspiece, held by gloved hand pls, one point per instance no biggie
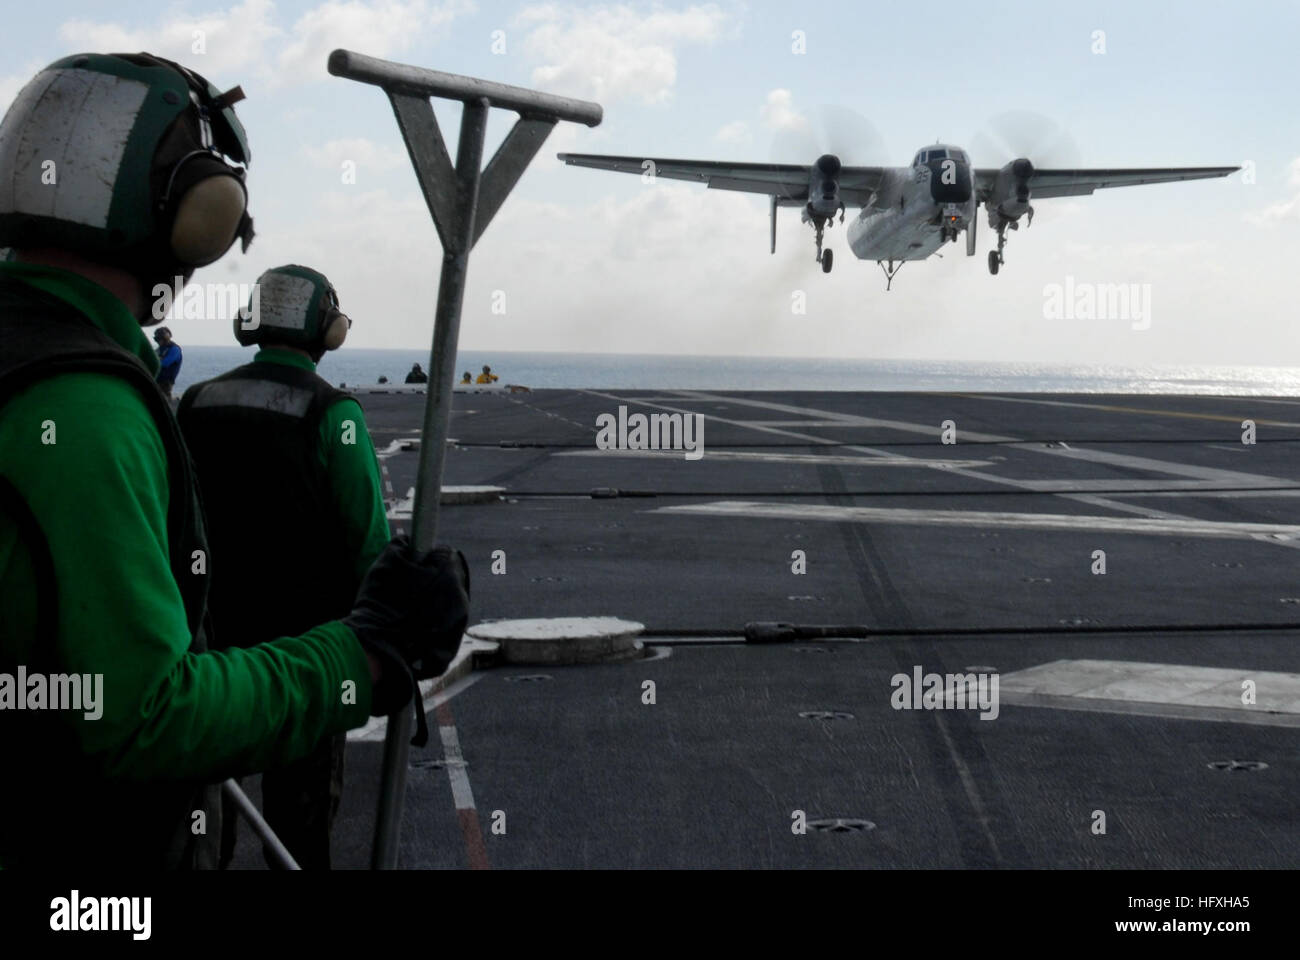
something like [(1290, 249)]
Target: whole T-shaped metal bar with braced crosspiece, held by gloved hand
[(462, 201)]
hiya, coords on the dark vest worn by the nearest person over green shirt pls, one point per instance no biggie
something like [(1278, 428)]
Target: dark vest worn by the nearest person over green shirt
[(144, 825)]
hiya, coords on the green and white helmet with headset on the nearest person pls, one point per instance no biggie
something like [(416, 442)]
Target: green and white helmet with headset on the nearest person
[(127, 159)]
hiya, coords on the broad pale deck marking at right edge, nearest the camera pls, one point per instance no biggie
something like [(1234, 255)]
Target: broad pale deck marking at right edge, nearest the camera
[(1158, 690)]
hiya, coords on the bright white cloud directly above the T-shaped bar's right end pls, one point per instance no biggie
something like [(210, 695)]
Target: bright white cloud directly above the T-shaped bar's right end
[(613, 53)]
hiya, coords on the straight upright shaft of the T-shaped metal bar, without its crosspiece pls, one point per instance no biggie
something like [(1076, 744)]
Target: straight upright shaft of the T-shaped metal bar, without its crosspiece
[(460, 239)]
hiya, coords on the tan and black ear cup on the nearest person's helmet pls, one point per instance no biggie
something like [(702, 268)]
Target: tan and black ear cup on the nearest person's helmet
[(209, 211)]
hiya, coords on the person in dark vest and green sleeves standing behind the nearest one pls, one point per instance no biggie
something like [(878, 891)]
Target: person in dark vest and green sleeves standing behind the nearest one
[(292, 553)]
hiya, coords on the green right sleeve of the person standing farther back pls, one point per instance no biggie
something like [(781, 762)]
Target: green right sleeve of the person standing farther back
[(356, 483)]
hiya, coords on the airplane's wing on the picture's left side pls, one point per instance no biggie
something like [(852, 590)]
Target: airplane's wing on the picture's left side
[(785, 181)]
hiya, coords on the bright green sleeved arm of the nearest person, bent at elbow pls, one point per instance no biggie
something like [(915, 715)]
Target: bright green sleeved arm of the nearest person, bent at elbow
[(101, 496)]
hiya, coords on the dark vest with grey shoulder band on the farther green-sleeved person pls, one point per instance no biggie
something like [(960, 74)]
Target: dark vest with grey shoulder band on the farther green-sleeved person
[(281, 564)]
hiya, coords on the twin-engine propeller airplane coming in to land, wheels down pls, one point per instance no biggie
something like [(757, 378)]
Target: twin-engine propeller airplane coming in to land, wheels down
[(908, 213)]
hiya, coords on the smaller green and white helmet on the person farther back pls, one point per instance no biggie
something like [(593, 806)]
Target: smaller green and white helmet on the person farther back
[(296, 306)]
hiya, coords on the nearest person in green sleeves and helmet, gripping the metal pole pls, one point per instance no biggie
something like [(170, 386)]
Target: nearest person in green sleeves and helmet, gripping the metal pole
[(105, 563)]
